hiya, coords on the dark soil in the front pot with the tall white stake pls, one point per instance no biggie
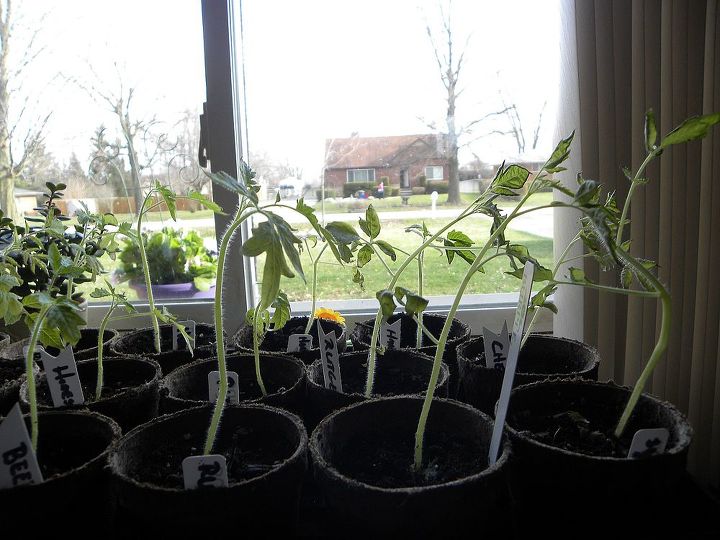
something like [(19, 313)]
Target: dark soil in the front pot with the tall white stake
[(387, 461)]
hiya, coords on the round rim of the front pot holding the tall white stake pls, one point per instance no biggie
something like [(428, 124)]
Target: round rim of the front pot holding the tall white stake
[(319, 459)]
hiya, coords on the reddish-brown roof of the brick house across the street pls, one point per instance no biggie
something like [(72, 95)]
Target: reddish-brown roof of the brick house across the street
[(397, 150)]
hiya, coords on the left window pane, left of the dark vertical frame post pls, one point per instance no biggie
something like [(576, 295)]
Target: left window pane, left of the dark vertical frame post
[(125, 85)]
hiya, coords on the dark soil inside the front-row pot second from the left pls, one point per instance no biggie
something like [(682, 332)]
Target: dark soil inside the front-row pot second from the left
[(253, 452)]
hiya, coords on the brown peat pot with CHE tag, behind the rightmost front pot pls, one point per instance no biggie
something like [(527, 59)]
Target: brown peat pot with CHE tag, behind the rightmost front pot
[(541, 357)]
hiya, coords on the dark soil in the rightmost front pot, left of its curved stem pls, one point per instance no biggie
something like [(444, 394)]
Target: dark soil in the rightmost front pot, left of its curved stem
[(571, 431)]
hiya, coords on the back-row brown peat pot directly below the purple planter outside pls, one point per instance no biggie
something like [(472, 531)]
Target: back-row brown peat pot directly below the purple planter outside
[(142, 343)]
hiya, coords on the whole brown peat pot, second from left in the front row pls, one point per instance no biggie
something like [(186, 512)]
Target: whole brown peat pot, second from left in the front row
[(266, 453)]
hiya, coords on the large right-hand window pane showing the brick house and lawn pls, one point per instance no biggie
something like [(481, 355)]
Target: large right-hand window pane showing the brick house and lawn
[(341, 141)]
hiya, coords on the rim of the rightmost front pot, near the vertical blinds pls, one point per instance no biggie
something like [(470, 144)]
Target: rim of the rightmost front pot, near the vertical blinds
[(684, 436)]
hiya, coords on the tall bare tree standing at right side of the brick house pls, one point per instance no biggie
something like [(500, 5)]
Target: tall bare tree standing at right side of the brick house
[(449, 57)]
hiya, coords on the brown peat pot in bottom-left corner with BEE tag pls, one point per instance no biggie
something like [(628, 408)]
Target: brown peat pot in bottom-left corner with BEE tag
[(73, 447)]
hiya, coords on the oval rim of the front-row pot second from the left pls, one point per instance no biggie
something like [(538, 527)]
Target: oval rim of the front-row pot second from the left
[(286, 463)]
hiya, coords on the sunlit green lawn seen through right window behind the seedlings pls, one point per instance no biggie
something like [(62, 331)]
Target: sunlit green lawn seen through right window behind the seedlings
[(335, 282)]
